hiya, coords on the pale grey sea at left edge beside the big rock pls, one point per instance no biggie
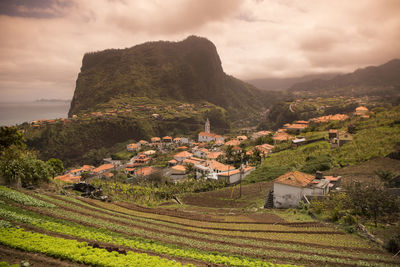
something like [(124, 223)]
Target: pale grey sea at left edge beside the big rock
[(17, 113)]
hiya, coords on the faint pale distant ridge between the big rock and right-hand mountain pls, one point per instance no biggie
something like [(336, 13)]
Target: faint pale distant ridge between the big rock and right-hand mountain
[(280, 84)]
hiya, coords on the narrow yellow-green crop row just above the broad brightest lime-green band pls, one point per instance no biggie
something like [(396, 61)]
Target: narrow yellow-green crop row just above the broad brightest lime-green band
[(105, 236)]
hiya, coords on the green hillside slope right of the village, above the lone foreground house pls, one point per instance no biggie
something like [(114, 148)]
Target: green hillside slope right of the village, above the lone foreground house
[(374, 137)]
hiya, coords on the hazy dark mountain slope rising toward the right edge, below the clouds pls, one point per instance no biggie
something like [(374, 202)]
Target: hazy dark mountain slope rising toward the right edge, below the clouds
[(373, 80)]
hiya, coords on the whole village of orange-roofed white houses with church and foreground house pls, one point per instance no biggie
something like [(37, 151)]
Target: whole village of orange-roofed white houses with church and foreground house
[(216, 157)]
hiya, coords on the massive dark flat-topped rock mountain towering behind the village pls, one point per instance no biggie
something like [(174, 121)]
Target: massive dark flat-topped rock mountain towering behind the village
[(189, 71)]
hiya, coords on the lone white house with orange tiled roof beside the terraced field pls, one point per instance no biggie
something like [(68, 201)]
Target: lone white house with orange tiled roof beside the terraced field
[(290, 188)]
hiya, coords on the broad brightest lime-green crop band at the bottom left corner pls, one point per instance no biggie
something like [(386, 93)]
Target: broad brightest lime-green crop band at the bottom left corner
[(76, 251)]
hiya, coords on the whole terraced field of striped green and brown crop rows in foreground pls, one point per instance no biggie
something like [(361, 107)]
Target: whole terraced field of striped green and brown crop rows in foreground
[(60, 230)]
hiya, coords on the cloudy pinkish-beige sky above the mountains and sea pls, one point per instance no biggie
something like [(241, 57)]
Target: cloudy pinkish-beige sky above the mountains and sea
[(43, 41)]
